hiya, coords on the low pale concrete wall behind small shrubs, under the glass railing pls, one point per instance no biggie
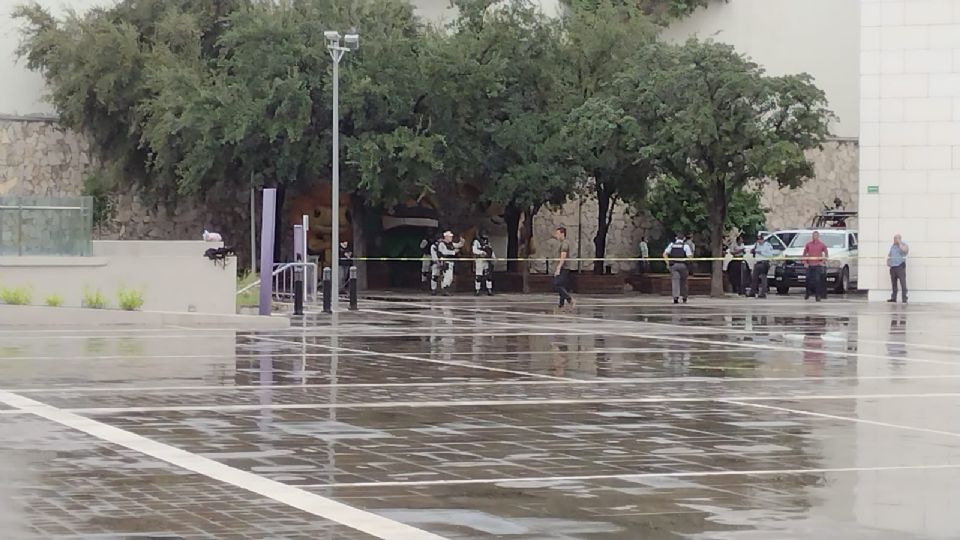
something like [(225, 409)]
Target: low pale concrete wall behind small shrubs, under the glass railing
[(174, 276)]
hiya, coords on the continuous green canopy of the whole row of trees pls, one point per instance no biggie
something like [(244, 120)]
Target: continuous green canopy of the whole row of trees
[(199, 96)]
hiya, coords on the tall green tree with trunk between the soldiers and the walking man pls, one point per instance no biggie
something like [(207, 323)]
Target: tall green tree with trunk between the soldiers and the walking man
[(494, 94)]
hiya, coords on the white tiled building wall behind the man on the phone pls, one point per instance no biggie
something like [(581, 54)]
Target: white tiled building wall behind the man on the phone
[(910, 144)]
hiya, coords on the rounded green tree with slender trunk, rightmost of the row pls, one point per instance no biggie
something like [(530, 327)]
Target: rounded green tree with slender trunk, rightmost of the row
[(721, 125)]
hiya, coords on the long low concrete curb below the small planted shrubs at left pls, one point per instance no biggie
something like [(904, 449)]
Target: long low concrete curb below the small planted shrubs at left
[(42, 316)]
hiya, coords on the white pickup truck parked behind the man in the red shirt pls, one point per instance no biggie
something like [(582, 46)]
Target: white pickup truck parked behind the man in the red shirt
[(842, 265)]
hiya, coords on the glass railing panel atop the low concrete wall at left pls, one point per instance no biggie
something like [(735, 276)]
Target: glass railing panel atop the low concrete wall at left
[(52, 226)]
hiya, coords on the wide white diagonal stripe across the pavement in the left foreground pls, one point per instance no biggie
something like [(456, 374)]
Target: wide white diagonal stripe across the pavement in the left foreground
[(348, 516)]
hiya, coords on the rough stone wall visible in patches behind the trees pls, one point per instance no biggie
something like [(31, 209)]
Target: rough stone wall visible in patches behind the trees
[(39, 158)]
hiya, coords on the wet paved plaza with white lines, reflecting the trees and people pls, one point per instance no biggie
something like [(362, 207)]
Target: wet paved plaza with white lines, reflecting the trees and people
[(492, 418)]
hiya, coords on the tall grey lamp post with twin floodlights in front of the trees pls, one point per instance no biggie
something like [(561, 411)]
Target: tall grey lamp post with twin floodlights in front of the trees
[(351, 42)]
